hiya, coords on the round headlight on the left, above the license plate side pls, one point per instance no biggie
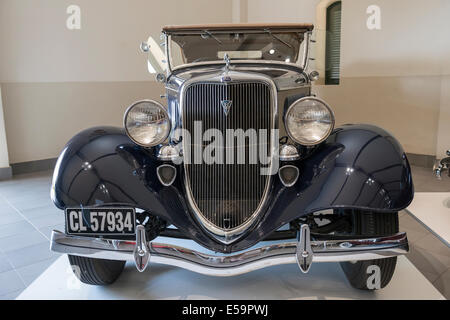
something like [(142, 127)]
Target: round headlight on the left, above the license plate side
[(147, 123)]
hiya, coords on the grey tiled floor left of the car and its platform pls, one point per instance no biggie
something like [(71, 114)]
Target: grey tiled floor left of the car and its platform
[(27, 217)]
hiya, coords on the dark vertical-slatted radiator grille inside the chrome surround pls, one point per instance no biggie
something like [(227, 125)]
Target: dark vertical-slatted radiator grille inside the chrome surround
[(228, 195)]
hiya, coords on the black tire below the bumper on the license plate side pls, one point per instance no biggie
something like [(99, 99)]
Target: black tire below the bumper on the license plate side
[(96, 271)]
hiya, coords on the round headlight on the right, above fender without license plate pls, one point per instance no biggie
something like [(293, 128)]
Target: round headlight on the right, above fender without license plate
[(309, 121)]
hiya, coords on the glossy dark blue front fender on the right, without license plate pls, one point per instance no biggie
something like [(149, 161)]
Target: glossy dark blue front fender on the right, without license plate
[(358, 167)]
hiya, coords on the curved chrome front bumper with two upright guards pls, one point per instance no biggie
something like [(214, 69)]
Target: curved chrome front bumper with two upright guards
[(303, 252)]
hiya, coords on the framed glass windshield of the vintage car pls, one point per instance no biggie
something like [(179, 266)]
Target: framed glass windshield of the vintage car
[(212, 46)]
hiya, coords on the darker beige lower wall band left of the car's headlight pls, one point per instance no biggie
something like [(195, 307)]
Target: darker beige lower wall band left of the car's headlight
[(44, 116)]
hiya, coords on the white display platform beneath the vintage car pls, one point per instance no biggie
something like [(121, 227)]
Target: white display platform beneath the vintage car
[(324, 281)]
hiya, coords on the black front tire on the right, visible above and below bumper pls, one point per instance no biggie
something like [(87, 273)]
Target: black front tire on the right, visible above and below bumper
[(368, 224)]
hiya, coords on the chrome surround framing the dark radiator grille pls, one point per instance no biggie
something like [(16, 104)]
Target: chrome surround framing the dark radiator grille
[(228, 236)]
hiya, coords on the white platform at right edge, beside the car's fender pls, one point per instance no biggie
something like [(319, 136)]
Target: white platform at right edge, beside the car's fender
[(432, 209)]
